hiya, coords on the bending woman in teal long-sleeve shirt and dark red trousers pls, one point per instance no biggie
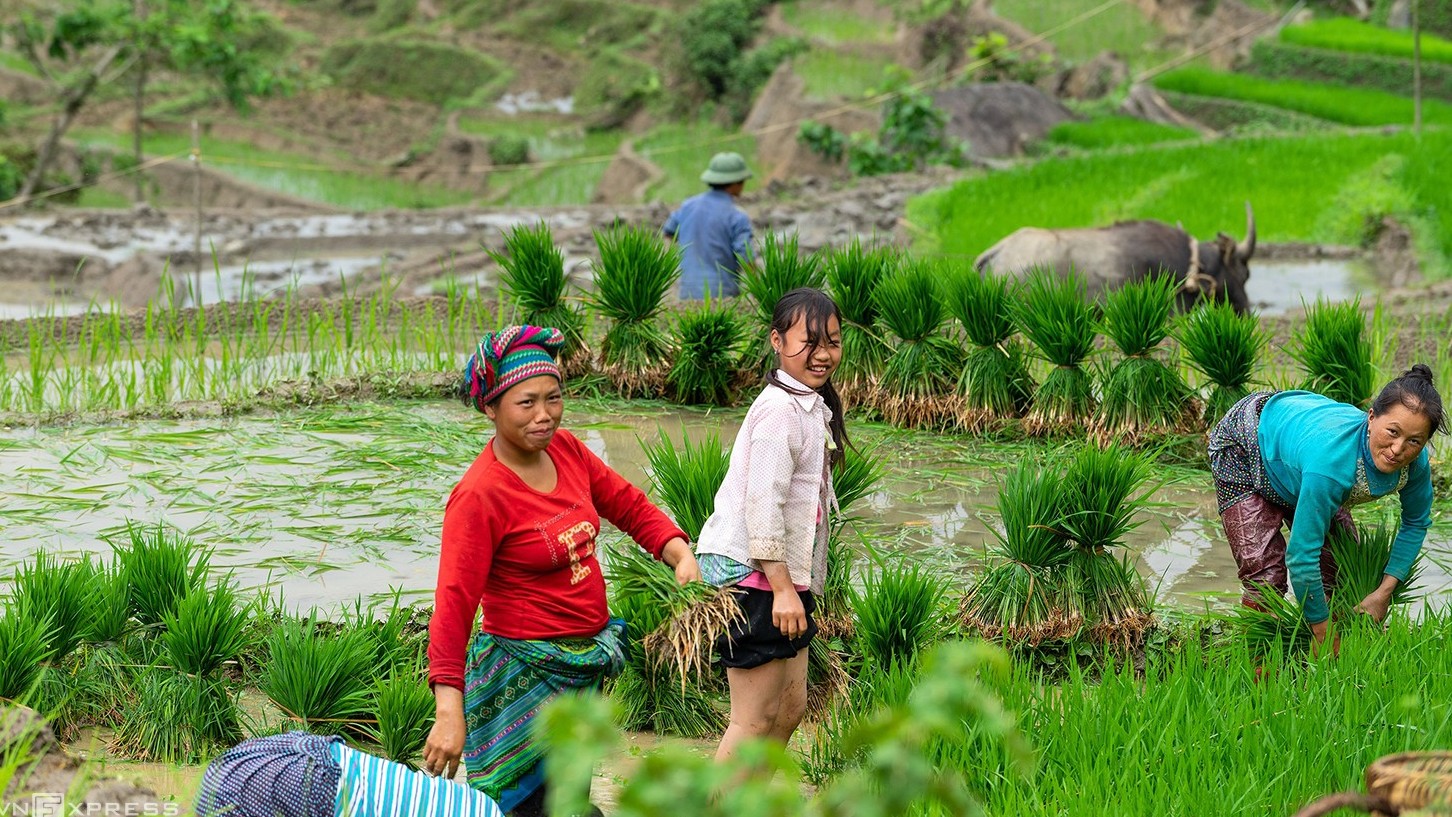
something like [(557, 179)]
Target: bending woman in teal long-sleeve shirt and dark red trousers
[(1302, 461)]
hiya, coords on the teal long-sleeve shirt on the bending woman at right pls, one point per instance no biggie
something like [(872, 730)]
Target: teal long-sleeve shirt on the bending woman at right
[(1312, 448)]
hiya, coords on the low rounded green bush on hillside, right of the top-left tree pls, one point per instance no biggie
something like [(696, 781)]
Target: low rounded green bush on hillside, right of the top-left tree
[(406, 69)]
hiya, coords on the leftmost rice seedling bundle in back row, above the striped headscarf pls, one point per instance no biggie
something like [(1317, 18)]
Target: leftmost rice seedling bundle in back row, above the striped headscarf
[(532, 275)]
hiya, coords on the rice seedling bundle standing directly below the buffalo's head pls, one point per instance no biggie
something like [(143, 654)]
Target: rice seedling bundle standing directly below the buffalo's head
[(1225, 348)]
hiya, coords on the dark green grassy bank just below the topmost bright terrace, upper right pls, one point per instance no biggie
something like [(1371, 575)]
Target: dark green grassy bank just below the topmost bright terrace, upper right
[(1278, 60)]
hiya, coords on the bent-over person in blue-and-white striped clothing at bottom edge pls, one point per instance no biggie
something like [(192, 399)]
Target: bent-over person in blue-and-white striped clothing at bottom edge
[(309, 776)]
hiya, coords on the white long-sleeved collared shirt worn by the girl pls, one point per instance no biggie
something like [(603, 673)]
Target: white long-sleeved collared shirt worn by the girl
[(775, 503)]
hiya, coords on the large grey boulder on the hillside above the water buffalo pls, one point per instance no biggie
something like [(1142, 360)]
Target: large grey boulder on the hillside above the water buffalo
[(1000, 120)]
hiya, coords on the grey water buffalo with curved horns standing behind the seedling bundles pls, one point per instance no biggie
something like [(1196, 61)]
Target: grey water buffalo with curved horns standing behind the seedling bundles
[(1130, 250)]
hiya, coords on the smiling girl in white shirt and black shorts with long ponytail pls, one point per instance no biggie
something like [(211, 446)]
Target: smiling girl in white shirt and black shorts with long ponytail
[(767, 536)]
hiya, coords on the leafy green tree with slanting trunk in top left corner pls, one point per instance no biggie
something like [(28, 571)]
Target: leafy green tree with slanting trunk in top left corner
[(82, 46)]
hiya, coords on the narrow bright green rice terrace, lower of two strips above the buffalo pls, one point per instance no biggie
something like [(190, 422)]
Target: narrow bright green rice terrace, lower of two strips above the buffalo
[(1334, 104)]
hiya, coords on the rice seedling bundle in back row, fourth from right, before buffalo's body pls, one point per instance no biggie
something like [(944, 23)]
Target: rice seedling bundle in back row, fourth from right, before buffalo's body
[(1055, 316)]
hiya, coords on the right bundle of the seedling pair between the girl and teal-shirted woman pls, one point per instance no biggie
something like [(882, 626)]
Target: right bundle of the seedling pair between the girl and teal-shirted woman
[(1104, 490)]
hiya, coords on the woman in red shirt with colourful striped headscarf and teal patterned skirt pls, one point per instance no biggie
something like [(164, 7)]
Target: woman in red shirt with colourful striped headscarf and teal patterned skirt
[(519, 542)]
